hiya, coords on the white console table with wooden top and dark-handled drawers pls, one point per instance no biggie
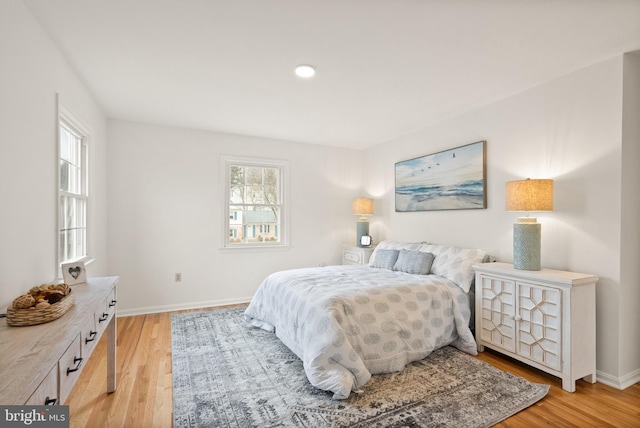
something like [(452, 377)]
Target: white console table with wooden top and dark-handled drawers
[(41, 363)]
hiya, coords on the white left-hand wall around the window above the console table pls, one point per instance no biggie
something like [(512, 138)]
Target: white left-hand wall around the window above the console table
[(32, 72)]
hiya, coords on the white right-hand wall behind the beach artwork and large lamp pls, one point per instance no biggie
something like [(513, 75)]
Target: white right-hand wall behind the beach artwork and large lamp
[(568, 130)]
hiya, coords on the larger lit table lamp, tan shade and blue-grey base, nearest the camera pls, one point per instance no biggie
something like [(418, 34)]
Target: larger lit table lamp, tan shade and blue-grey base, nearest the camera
[(528, 195)]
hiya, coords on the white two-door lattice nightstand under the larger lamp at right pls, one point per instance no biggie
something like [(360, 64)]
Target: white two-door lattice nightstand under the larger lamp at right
[(545, 318)]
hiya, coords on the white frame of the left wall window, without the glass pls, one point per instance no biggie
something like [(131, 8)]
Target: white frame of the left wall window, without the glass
[(69, 121)]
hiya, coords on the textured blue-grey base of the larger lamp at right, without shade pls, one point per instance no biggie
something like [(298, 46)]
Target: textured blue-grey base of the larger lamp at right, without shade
[(526, 244)]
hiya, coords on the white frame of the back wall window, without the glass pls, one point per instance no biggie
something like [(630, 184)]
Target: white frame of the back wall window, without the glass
[(283, 166)]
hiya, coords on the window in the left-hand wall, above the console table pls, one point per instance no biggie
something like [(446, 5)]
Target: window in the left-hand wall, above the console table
[(72, 191)]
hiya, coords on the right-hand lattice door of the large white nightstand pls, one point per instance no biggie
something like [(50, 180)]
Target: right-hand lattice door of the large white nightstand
[(539, 326)]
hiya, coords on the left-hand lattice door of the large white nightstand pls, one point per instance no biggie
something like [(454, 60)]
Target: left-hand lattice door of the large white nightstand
[(498, 310)]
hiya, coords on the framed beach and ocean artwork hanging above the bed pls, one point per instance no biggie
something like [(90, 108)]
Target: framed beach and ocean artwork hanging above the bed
[(454, 179)]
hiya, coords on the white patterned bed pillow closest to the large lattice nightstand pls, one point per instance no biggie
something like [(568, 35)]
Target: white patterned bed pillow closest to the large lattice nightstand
[(455, 264)]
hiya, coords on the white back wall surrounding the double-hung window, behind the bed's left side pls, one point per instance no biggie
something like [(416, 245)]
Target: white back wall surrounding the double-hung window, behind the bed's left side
[(165, 214)]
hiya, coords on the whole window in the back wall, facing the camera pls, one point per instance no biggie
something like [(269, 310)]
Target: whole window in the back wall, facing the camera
[(255, 207)]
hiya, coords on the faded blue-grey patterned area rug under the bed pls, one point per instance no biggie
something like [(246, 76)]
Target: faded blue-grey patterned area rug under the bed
[(227, 374)]
